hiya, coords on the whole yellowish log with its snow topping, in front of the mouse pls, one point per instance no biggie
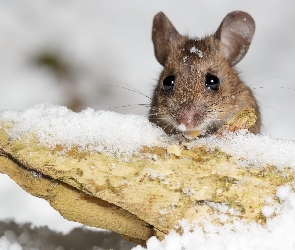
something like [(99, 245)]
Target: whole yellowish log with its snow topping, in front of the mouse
[(95, 177)]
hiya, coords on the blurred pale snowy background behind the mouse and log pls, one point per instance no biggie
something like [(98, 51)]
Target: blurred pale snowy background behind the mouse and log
[(71, 52)]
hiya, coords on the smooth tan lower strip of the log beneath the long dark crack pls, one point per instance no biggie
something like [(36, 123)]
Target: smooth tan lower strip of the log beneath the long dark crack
[(75, 205)]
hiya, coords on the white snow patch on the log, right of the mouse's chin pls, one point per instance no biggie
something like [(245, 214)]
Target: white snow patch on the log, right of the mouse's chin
[(253, 150)]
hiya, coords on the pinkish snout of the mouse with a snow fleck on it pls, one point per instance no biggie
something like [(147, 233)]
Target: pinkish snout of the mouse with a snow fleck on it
[(190, 117)]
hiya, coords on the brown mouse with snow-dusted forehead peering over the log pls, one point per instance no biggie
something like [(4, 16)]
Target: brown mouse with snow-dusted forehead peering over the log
[(199, 89)]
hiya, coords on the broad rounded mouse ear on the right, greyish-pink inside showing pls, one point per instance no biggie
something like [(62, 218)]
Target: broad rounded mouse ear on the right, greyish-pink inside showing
[(235, 33)]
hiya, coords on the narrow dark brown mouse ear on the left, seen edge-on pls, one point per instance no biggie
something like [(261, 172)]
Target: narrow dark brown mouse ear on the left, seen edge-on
[(163, 34)]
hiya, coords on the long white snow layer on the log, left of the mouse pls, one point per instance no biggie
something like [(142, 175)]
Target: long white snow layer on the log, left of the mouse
[(89, 130)]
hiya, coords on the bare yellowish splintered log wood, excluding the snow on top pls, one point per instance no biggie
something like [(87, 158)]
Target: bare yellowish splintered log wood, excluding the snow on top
[(144, 196)]
